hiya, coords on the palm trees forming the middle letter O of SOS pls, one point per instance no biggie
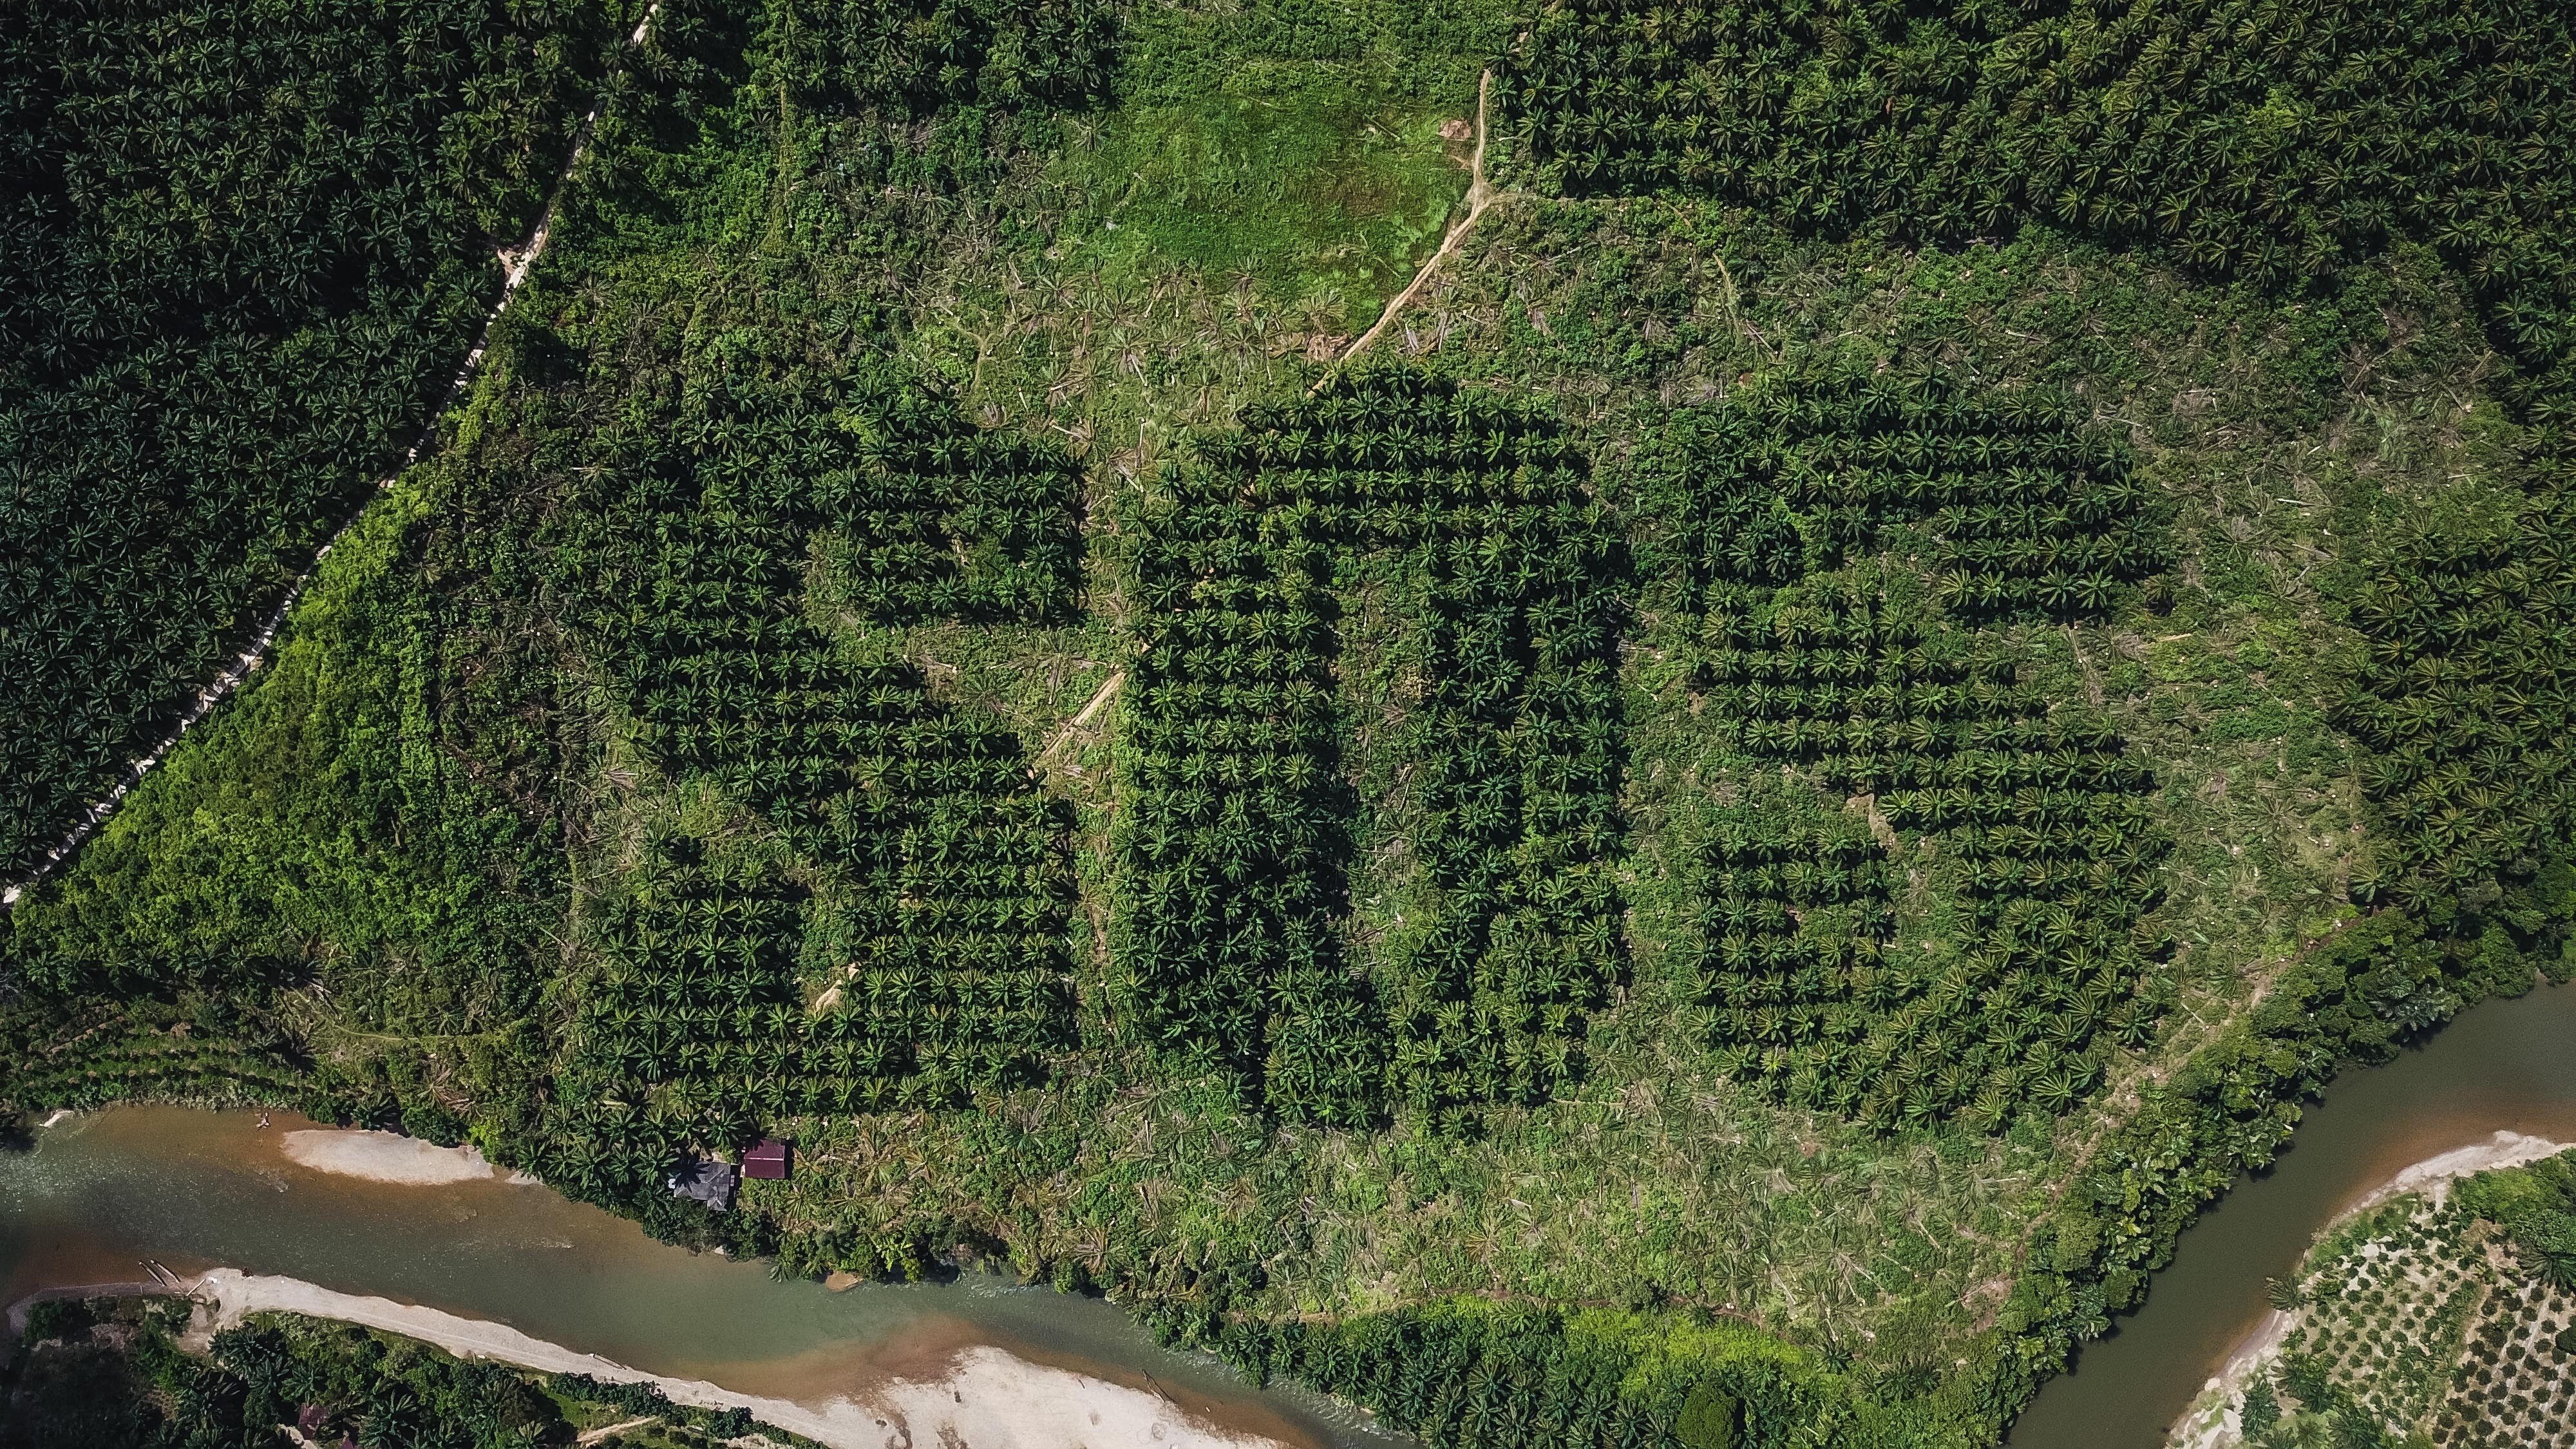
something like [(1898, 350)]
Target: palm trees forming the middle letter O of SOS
[(1233, 850)]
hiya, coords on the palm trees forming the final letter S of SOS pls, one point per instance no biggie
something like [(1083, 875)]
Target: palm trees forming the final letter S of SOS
[(1807, 659)]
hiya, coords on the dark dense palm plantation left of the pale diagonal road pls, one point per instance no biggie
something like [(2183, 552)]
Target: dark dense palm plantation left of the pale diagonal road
[(243, 251)]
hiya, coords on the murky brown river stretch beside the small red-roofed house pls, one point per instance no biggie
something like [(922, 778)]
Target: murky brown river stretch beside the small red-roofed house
[(107, 1192)]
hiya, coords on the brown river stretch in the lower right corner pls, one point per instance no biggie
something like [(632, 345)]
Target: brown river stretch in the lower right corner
[(2500, 1066)]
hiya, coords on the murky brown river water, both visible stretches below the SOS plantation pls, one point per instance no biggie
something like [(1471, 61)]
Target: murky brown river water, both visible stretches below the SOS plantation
[(194, 1190)]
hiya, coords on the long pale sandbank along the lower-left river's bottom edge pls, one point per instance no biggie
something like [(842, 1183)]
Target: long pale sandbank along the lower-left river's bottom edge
[(983, 1399)]
